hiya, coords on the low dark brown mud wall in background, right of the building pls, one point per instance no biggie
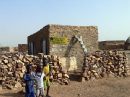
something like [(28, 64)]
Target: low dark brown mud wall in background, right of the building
[(112, 45)]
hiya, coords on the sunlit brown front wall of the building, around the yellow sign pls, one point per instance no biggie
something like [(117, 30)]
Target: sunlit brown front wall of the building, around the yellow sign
[(88, 33)]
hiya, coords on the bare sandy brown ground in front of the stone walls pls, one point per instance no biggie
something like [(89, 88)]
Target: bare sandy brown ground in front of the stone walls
[(106, 87)]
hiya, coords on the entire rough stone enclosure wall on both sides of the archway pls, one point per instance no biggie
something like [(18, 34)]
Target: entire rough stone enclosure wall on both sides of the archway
[(96, 65)]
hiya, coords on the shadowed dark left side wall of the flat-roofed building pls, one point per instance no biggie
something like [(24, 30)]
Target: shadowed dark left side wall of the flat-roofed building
[(37, 39)]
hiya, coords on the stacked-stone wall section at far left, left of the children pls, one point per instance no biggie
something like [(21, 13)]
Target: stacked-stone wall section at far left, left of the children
[(12, 69)]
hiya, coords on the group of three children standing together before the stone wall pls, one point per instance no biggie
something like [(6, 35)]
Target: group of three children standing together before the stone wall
[(40, 78)]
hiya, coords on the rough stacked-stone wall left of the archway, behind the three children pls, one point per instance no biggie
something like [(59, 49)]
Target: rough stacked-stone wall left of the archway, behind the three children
[(13, 66)]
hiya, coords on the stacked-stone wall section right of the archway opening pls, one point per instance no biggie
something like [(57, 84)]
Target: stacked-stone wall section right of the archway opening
[(105, 64)]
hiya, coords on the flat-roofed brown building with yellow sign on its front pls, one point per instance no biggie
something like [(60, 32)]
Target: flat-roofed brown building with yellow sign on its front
[(57, 40)]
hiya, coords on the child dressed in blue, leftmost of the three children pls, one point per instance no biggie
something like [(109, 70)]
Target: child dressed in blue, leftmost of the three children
[(28, 78)]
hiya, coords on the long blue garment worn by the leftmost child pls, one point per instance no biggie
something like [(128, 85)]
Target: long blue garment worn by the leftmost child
[(29, 88)]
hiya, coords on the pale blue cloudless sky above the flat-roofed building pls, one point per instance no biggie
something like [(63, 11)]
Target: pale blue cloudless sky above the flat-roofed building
[(21, 18)]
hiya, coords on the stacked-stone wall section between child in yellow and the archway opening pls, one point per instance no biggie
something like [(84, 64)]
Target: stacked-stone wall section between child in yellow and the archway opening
[(59, 74)]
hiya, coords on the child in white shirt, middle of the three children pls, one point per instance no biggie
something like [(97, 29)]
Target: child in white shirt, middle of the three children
[(39, 82)]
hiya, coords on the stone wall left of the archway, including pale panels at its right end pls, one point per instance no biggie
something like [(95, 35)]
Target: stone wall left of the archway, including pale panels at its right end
[(13, 67)]
